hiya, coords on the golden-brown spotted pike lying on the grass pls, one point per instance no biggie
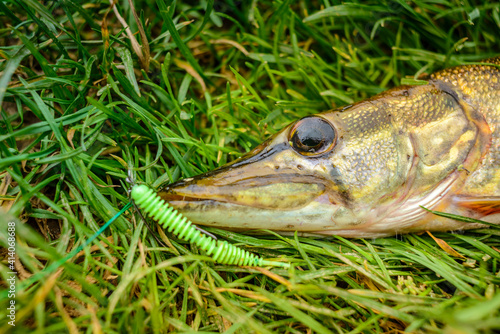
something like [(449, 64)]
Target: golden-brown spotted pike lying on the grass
[(366, 170)]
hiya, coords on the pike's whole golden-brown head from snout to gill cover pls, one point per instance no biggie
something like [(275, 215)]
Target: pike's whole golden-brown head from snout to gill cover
[(344, 172)]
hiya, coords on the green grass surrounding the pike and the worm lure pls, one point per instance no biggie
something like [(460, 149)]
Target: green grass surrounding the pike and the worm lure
[(189, 88)]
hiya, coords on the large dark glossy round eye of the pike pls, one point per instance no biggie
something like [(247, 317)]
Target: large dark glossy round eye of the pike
[(312, 136)]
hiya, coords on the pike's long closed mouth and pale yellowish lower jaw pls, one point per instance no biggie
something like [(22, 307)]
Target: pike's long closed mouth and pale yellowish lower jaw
[(303, 207)]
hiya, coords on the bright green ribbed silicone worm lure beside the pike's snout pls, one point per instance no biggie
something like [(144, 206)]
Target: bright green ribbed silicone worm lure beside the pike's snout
[(171, 220)]
